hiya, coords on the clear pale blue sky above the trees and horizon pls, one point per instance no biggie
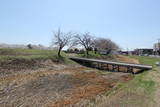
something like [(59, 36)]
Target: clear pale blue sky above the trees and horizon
[(130, 23)]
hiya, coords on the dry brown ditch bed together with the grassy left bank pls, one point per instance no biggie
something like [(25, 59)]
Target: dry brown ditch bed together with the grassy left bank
[(55, 85)]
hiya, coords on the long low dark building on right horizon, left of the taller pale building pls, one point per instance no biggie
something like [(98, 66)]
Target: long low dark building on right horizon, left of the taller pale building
[(143, 51)]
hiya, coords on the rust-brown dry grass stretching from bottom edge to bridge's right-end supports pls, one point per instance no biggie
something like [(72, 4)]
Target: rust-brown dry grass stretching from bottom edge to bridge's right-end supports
[(94, 84)]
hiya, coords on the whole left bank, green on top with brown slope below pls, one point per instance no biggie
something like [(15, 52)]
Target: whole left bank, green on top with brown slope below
[(13, 60)]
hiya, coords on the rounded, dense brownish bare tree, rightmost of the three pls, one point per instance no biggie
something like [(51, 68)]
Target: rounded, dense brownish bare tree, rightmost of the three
[(106, 44)]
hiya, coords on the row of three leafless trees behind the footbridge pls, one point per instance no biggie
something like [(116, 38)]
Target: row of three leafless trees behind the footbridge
[(86, 40)]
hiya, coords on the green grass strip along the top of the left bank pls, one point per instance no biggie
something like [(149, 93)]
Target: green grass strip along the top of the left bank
[(30, 54)]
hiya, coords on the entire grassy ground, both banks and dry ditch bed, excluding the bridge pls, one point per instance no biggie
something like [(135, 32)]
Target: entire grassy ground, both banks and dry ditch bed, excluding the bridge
[(38, 78)]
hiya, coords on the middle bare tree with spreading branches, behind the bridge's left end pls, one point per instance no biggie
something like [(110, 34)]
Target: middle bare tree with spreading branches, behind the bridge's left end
[(86, 40)]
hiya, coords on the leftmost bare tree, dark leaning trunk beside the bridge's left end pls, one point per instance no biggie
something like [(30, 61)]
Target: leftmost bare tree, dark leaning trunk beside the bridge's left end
[(61, 40)]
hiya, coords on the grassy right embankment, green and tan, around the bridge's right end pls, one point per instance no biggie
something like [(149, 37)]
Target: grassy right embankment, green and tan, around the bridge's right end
[(141, 91)]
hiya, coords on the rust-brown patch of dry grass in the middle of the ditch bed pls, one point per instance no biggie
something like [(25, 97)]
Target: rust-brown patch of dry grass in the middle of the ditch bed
[(94, 84)]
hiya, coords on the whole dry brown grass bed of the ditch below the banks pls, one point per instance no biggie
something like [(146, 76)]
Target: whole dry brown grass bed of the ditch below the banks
[(55, 85)]
